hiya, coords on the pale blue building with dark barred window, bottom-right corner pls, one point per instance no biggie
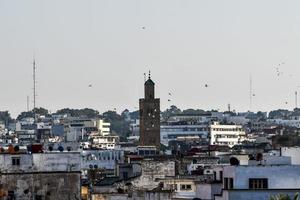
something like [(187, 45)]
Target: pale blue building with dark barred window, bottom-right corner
[(259, 182)]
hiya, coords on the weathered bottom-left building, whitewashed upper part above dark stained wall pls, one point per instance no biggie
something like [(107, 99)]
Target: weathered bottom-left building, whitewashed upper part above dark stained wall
[(40, 176)]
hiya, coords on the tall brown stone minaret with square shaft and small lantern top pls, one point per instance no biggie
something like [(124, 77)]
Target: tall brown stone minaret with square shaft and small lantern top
[(150, 117)]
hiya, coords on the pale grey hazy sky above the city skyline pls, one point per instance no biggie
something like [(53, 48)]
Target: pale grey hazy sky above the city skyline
[(186, 44)]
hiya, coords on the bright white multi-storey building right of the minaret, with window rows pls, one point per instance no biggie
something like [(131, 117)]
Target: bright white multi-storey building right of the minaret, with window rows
[(226, 134)]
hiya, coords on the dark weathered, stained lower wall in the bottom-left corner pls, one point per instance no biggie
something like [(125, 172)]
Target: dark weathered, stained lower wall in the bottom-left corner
[(50, 186)]
